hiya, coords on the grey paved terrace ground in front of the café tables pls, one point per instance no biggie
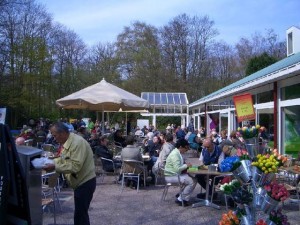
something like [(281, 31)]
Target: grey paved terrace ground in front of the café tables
[(110, 206)]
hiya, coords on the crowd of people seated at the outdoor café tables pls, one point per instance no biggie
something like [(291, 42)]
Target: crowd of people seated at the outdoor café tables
[(165, 149)]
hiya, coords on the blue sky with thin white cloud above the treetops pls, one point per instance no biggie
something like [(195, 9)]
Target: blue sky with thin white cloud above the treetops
[(102, 20)]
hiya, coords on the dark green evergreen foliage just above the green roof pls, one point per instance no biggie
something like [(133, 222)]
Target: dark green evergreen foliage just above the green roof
[(259, 62)]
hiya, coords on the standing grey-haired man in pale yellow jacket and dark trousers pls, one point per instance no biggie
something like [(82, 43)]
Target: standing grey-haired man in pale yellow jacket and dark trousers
[(77, 164)]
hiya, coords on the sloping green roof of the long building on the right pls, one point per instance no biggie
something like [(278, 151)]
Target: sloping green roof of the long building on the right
[(284, 63)]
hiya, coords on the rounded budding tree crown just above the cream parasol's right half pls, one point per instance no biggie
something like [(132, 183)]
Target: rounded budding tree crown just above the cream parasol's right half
[(139, 54)]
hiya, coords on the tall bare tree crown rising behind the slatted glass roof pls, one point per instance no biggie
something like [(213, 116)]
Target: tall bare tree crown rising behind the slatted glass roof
[(185, 49)]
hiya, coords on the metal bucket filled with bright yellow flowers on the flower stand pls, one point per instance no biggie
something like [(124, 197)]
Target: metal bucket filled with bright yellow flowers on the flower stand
[(265, 166)]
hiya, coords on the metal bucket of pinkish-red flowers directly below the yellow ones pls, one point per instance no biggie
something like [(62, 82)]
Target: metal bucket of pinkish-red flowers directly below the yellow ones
[(275, 193)]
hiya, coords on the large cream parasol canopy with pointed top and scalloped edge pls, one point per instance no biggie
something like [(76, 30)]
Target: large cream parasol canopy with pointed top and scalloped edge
[(103, 96)]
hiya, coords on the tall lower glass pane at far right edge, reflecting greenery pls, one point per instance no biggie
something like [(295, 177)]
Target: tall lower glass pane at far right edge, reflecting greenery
[(292, 130)]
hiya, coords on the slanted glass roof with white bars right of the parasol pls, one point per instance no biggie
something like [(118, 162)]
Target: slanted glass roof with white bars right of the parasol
[(155, 98)]
